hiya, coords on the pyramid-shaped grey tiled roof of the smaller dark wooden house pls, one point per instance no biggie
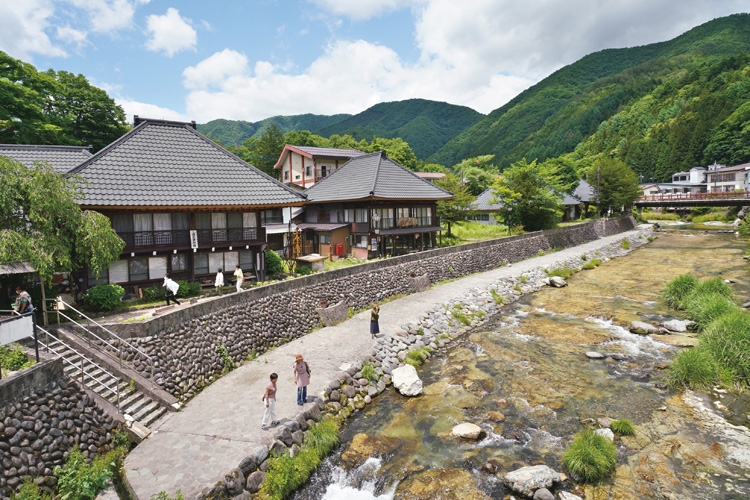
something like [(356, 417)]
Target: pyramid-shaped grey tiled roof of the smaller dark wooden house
[(374, 177)]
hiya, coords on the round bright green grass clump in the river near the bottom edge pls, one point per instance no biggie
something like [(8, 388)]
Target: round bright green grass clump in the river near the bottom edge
[(590, 457)]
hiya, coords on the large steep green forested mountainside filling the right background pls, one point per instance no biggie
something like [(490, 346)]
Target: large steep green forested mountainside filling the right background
[(660, 108)]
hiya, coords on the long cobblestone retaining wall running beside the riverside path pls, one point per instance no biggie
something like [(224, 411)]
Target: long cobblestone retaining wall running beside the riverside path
[(186, 343)]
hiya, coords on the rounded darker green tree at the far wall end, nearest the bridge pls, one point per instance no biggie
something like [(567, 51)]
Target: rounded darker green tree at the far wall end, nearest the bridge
[(617, 185)]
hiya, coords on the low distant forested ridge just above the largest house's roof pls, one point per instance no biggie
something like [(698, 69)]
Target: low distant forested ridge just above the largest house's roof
[(233, 133)]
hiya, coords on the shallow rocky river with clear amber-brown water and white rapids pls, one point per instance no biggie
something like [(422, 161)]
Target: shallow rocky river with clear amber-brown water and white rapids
[(524, 378)]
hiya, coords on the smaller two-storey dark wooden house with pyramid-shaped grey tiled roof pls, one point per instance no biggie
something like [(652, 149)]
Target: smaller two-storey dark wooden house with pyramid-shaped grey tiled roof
[(370, 207)]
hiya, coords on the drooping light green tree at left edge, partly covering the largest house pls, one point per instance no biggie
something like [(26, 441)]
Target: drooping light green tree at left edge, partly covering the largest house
[(41, 223)]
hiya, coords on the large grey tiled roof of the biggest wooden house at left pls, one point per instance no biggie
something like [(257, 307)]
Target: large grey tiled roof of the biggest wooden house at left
[(169, 164)]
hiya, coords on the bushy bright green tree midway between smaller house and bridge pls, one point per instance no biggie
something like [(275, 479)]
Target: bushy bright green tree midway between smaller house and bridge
[(527, 197)]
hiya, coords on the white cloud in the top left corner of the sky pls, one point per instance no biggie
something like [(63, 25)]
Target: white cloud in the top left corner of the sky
[(22, 29)]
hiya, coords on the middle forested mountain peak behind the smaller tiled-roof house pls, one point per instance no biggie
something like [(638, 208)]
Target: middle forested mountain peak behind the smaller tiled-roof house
[(425, 125)]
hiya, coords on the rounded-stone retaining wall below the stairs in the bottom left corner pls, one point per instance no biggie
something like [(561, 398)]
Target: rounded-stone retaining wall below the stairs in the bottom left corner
[(43, 416)]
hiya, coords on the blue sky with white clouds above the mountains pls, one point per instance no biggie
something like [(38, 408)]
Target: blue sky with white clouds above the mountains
[(253, 59)]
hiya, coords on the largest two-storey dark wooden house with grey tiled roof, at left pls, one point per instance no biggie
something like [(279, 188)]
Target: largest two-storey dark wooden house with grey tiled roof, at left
[(183, 205)]
